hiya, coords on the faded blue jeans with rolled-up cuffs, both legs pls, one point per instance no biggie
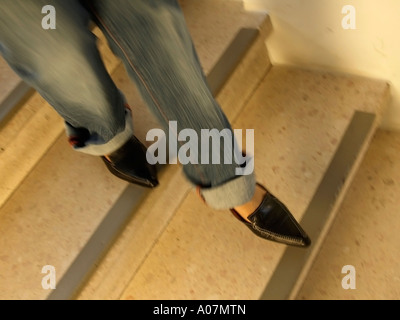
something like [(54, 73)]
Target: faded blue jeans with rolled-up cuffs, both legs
[(152, 40)]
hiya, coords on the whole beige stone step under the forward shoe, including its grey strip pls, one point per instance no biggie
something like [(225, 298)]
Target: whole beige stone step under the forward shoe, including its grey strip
[(306, 125)]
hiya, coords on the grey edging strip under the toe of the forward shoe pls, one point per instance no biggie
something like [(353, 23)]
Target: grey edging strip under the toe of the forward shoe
[(291, 264)]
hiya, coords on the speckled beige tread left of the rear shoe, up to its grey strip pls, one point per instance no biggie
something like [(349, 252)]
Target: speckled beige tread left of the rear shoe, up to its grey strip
[(50, 217)]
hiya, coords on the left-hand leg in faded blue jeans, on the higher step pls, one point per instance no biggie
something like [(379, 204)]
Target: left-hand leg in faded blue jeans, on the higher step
[(65, 67)]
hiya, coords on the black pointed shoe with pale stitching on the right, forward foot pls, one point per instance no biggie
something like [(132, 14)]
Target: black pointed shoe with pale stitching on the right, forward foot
[(273, 221)]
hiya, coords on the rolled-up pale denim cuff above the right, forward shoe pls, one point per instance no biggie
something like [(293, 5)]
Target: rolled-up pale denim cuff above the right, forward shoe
[(230, 194)]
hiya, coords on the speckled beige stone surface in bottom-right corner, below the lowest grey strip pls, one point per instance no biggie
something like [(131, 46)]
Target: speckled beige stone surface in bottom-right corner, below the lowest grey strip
[(365, 233)]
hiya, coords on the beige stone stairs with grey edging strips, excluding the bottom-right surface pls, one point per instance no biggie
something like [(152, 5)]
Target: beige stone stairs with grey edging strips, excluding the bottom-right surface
[(111, 240)]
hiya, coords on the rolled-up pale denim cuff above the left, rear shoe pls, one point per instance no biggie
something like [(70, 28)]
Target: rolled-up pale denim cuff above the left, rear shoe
[(115, 143)]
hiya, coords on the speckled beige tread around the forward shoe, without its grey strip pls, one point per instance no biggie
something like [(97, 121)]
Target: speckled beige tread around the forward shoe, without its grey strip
[(299, 117)]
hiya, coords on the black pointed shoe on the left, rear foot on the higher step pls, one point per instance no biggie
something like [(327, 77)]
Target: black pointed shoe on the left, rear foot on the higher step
[(130, 164)]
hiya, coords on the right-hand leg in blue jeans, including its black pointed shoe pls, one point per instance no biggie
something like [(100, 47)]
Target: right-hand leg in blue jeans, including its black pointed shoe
[(152, 39)]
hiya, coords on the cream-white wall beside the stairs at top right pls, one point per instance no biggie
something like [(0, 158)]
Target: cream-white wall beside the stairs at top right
[(310, 33)]
